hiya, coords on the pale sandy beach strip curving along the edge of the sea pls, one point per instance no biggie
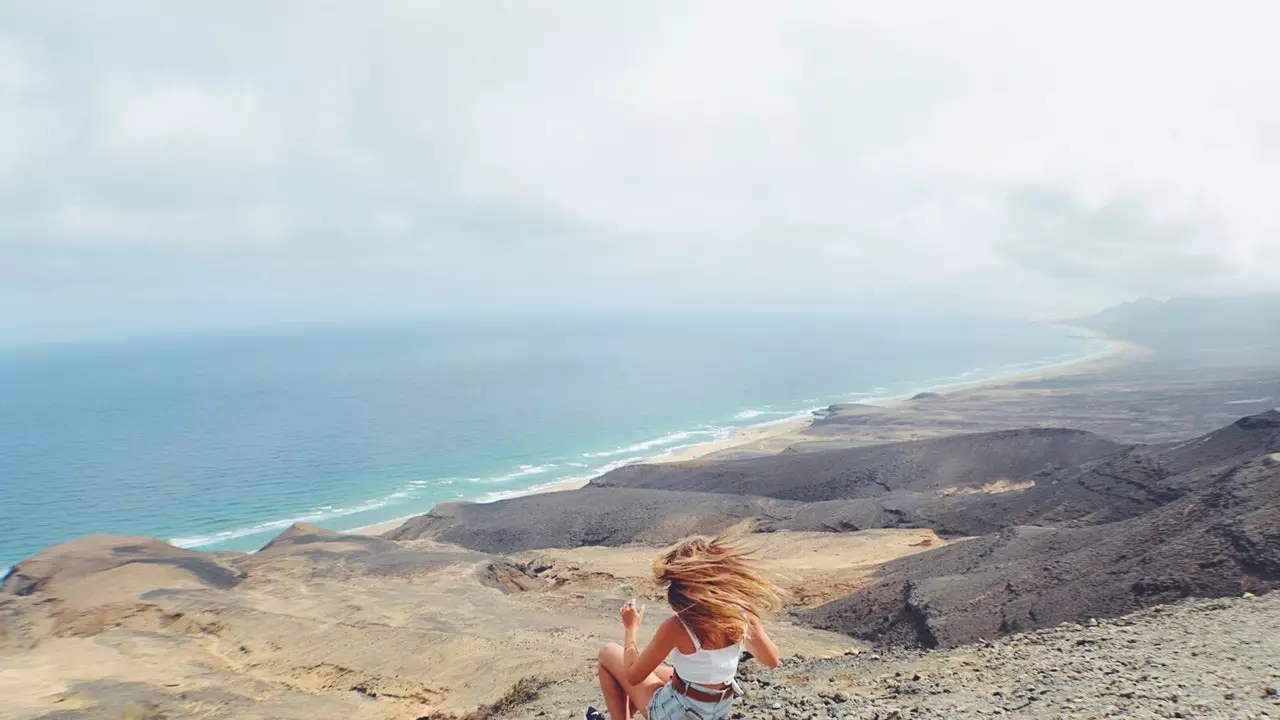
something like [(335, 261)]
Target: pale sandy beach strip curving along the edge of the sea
[(792, 429)]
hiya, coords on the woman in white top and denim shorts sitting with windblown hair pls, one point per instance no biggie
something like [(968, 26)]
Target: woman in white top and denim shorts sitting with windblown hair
[(719, 596)]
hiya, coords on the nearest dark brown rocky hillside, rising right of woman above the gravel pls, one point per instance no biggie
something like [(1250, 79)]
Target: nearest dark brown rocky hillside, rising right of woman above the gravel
[(1220, 541)]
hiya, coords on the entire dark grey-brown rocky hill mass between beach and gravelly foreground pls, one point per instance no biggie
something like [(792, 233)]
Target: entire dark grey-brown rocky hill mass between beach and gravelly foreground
[(1069, 525)]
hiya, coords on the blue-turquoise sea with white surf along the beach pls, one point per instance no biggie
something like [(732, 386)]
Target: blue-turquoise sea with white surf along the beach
[(223, 440)]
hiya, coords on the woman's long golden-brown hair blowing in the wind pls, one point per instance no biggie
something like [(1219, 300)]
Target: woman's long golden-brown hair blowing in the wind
[(716, 585)]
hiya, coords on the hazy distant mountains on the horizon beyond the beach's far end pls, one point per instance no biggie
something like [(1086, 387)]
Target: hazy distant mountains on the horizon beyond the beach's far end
[(1212, 330)]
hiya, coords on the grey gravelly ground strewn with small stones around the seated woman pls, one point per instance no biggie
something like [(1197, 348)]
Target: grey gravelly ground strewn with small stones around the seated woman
[(1197, 659)]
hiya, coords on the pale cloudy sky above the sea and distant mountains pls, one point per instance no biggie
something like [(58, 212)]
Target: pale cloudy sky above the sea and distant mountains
[(199, 165)]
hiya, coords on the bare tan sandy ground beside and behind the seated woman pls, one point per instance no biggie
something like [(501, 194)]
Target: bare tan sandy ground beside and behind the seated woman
[(323, 635)]
